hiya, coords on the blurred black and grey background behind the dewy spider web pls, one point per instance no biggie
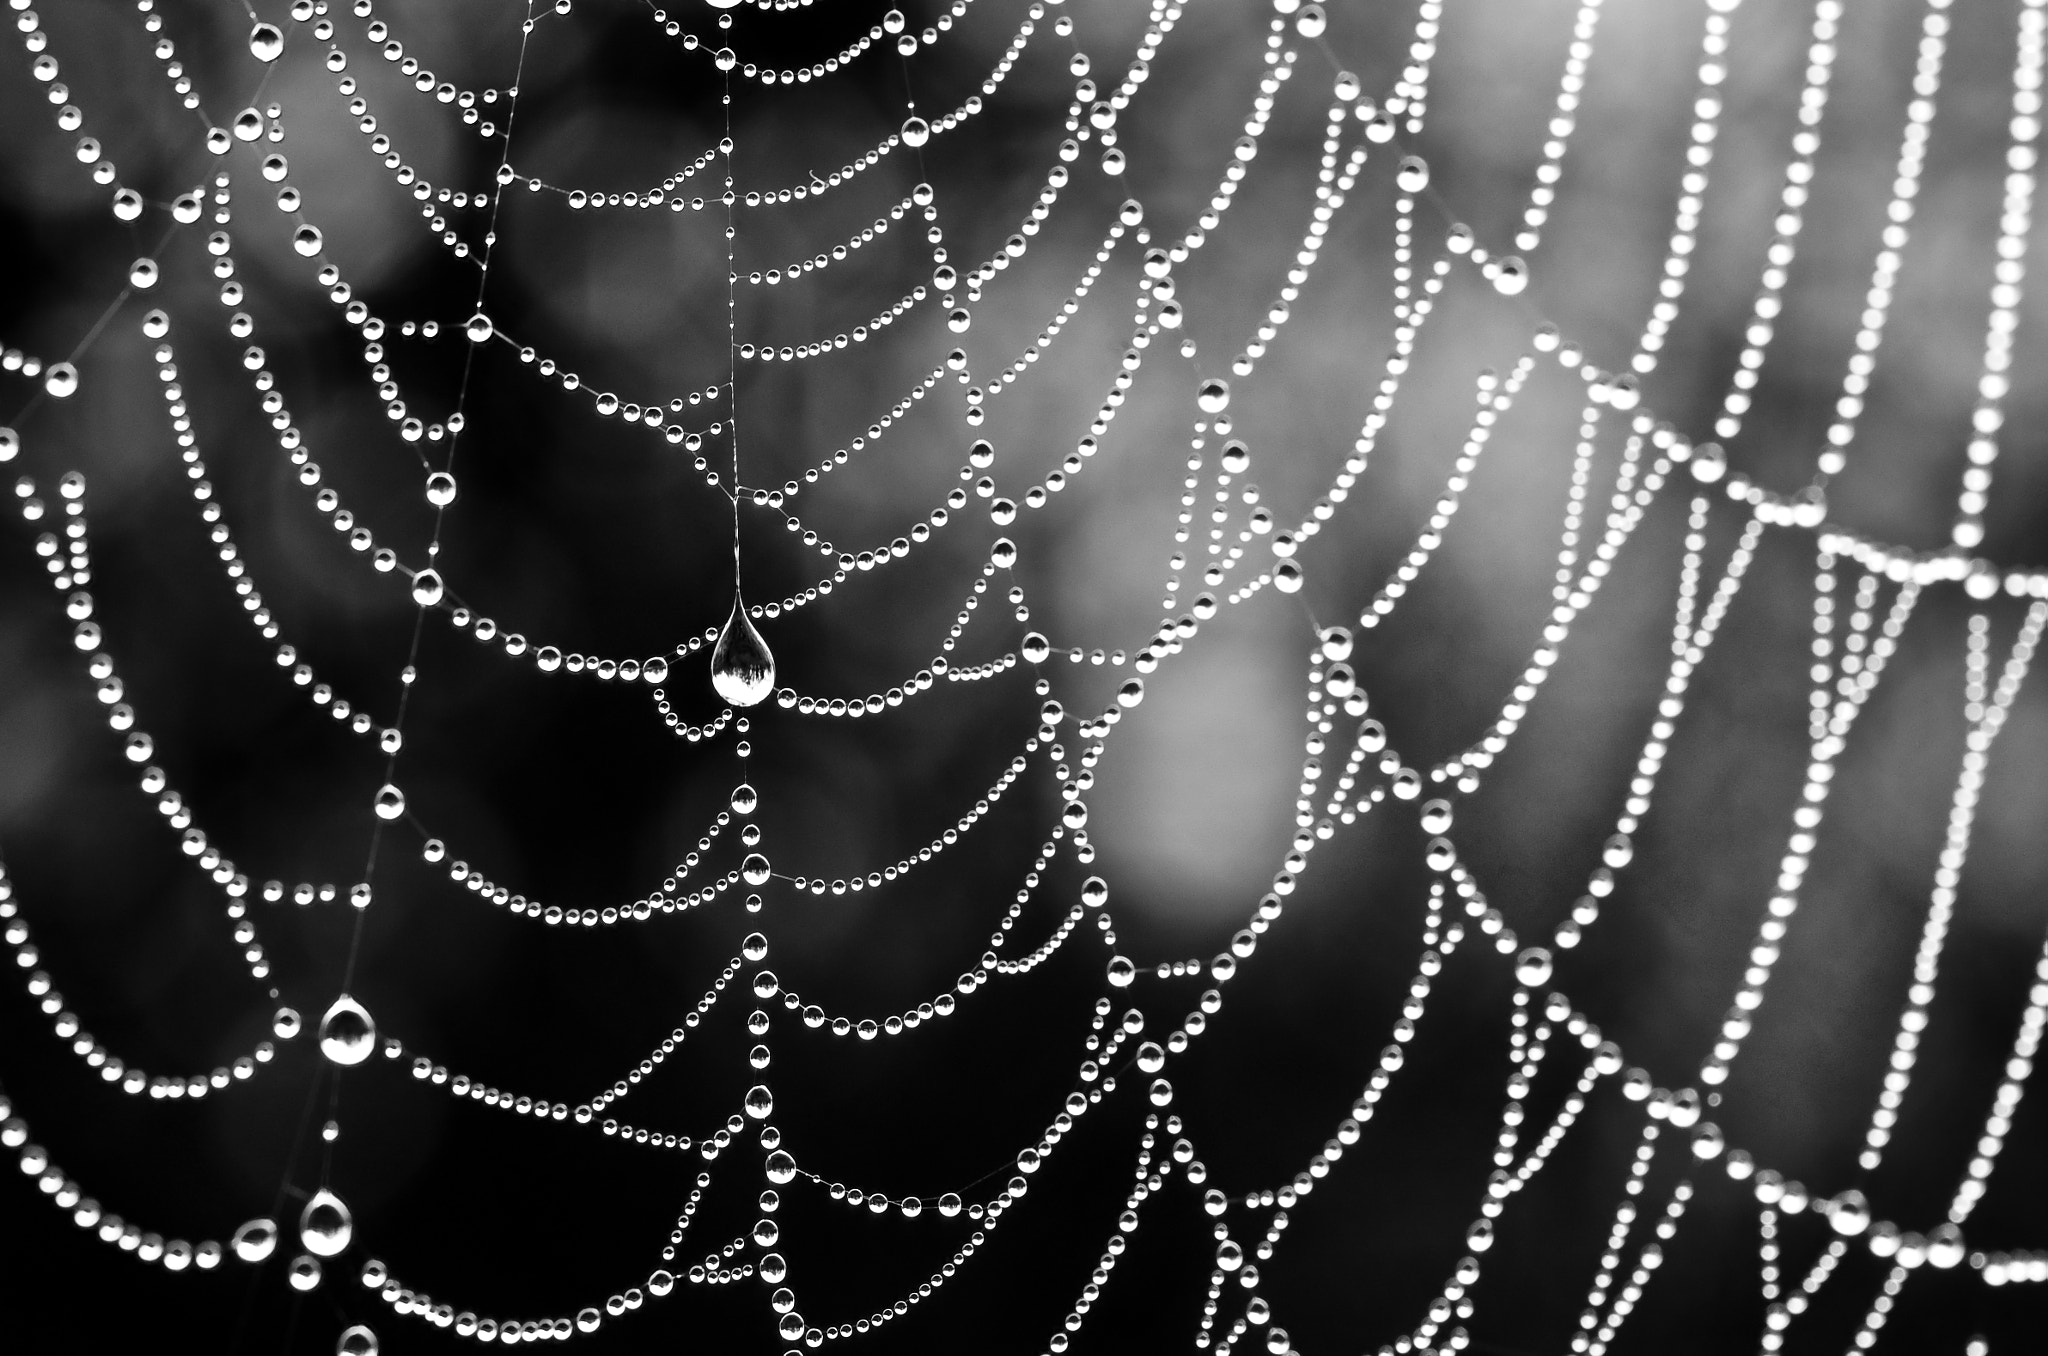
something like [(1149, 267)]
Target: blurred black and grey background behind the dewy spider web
[(603, 538)]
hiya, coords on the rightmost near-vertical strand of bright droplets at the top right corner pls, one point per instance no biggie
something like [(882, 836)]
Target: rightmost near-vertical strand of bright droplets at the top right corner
[(2016, 222)]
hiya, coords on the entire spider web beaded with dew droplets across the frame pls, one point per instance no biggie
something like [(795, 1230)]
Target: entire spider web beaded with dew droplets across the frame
[(1865, 599)]
